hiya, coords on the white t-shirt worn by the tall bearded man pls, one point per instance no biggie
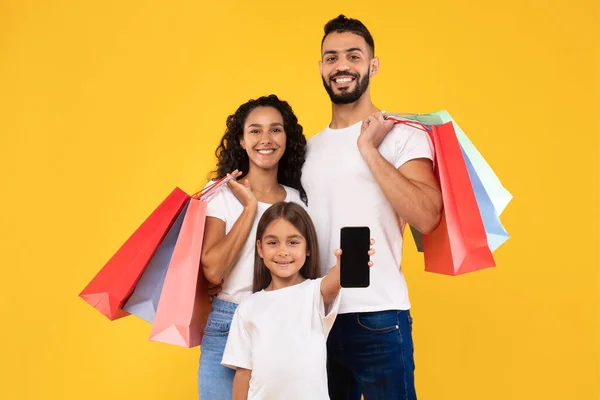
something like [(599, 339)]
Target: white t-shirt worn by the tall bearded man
[(342, 191)]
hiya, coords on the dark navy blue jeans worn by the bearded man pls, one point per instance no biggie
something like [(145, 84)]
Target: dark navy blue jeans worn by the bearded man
[(371, 353)]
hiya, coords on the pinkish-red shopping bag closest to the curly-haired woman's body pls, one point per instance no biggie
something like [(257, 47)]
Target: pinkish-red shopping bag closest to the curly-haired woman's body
[(184, 304)]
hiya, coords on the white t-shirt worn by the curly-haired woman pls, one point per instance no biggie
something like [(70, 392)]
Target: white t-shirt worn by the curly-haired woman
[(226, 207)]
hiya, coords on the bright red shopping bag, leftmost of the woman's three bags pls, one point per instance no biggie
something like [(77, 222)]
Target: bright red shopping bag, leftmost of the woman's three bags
[(111, 287)]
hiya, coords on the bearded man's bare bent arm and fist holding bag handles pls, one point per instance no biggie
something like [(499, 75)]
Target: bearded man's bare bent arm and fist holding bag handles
[(412, 189)]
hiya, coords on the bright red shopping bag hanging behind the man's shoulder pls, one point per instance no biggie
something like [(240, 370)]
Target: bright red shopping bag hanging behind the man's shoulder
[(459, 244)]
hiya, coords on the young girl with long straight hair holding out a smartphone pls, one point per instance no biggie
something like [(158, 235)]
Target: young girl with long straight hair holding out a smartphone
[(277, 341)]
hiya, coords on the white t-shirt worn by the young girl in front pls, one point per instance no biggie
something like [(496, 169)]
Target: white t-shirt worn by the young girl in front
[(281, 336)]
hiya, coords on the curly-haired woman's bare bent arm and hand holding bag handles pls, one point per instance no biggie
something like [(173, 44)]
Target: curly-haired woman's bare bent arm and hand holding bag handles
[(220, 251)]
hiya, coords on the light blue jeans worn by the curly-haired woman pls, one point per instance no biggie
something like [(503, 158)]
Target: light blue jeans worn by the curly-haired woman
[(215, 381)]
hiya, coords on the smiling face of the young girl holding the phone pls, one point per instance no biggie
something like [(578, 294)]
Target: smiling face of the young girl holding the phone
[(283, 250)]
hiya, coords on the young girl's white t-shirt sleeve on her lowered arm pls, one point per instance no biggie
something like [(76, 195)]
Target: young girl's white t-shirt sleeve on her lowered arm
[(238, 350)]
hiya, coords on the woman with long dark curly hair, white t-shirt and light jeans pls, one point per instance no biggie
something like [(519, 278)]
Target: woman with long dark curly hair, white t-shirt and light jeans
[(263, 146)]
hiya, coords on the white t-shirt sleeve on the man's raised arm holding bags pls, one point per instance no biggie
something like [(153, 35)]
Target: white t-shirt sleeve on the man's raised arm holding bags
[(411, 143)]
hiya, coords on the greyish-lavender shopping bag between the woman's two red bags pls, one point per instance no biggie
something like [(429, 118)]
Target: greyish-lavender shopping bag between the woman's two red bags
[(144, 299)]
